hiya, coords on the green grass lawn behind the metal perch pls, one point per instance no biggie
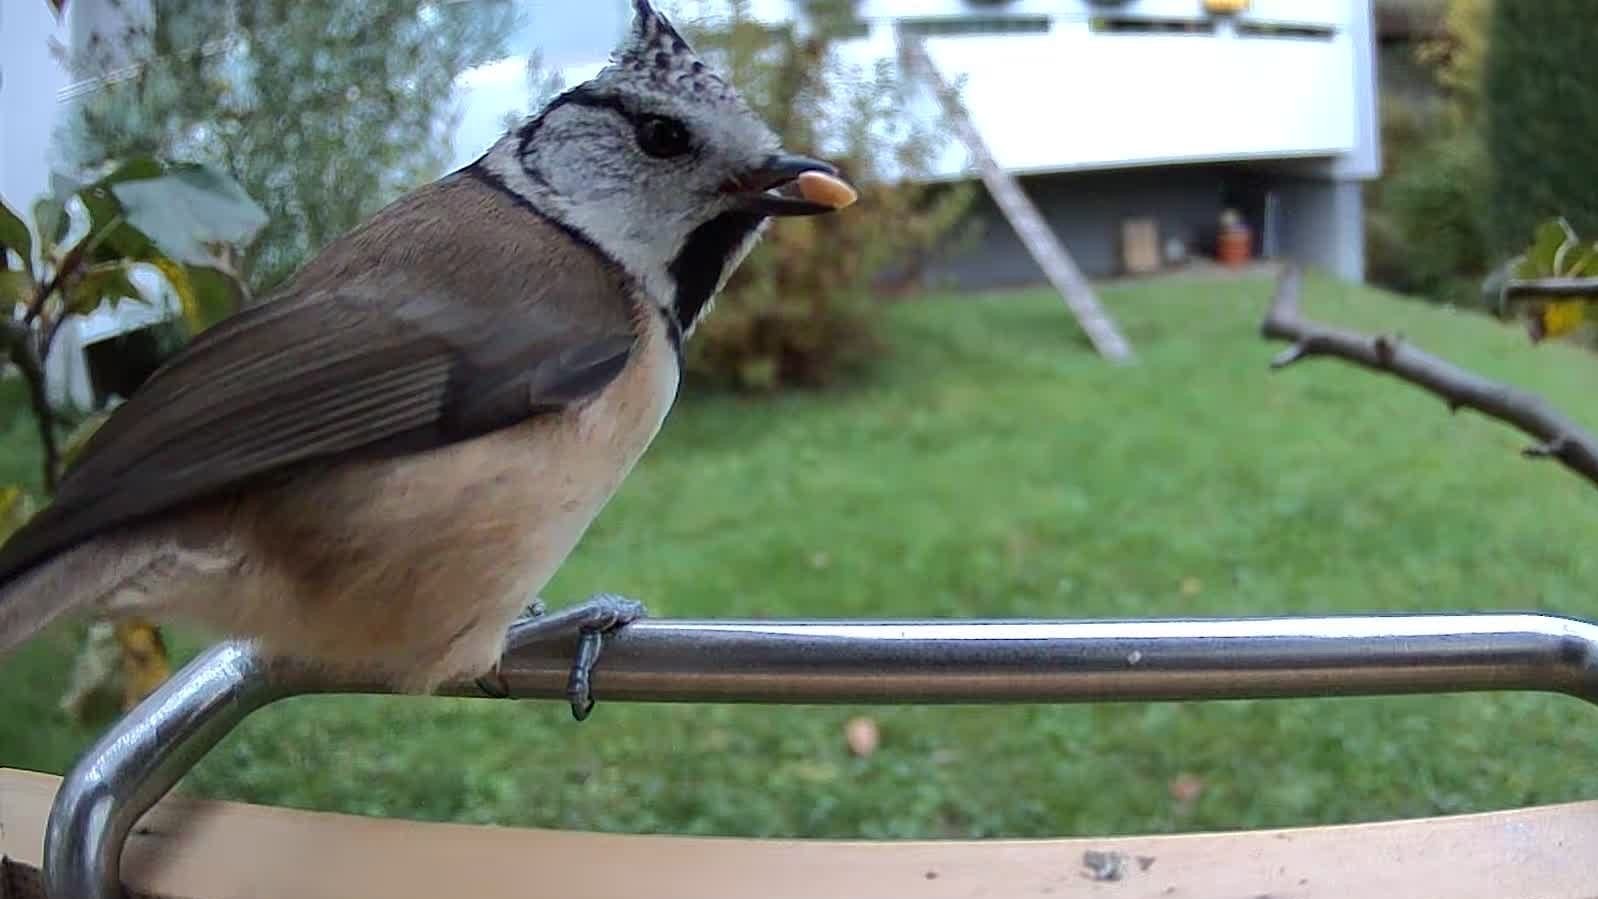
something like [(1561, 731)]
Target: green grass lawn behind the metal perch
[(996, 469)]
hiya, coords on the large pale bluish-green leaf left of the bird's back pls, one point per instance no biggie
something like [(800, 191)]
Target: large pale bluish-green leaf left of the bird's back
[(189, 208)]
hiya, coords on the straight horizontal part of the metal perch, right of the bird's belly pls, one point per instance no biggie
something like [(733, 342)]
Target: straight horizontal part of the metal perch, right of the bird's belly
[(1073, 662)]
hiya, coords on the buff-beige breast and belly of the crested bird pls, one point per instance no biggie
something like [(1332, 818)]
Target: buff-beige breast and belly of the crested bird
[(423, 561)]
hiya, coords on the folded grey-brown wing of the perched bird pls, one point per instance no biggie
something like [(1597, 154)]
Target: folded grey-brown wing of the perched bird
[(320, 376)]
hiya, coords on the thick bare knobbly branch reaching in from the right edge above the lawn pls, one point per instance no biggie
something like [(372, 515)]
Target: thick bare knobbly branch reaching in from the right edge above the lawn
[(1557, 437)]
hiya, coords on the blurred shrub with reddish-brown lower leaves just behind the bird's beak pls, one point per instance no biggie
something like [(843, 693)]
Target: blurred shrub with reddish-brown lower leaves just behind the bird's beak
[(803, 309)]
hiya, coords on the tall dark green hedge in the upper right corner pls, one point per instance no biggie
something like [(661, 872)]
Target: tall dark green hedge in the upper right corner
[(1541, 111)]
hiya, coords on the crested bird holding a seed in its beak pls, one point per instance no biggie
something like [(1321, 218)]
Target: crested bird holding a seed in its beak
[(380, 467)]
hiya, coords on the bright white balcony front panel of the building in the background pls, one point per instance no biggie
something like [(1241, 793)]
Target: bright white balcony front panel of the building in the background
[(1075, 100)]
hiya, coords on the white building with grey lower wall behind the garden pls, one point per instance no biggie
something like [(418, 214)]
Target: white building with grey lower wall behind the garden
[(1110, 109)]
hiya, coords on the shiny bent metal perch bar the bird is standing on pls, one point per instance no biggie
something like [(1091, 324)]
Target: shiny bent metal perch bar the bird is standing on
[(849, 662)]
